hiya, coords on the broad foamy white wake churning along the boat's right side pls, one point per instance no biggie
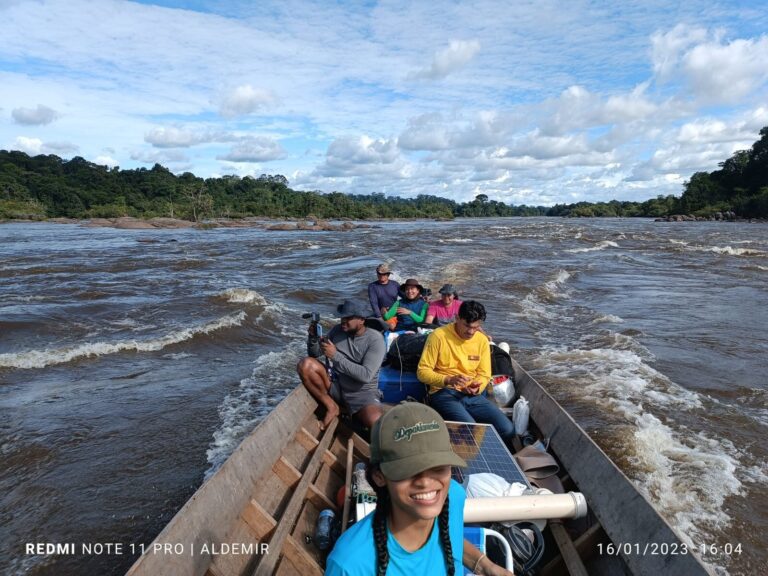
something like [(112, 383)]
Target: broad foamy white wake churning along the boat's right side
[(654, 429)]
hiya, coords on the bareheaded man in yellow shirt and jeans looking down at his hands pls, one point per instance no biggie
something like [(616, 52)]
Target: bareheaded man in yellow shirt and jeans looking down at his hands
[(456, 365)]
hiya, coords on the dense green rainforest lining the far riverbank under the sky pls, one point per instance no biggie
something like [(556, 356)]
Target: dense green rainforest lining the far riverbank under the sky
[(45, 186)]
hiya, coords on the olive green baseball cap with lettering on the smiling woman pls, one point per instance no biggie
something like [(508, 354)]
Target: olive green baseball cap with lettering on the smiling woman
[(409, 439)]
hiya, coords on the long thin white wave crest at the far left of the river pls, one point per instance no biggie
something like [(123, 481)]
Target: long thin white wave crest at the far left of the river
[(43, 358)]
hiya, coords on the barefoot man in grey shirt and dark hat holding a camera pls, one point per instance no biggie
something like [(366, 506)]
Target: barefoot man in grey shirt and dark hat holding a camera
[(353, 355)]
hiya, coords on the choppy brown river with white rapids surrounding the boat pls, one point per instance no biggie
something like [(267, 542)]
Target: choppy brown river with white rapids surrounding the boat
[(132, 362)]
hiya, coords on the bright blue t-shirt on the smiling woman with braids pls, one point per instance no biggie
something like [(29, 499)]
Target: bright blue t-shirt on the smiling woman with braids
[(355, 552)]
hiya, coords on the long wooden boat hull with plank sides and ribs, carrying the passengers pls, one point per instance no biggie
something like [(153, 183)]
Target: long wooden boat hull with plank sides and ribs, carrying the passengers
[(255, 515)]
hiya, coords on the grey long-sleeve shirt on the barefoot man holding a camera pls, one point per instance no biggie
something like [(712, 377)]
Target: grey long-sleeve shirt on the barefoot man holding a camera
[(357, 360)]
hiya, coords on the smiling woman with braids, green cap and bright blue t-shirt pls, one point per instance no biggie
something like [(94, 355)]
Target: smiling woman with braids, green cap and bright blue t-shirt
[(417, 527)]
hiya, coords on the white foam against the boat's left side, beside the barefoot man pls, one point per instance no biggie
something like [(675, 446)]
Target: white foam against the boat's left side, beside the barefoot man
[(256, 396)]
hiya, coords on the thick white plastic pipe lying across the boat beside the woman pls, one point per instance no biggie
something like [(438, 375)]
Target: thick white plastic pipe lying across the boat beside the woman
[(518, 508)]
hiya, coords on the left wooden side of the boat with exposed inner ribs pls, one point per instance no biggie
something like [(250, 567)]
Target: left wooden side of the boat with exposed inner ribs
[(241, 503)]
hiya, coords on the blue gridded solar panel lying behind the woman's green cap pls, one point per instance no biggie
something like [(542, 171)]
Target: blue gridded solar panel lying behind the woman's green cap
[(484, 451)]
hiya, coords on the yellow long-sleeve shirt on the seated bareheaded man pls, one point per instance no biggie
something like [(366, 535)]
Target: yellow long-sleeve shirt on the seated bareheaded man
[(446, 354)]
